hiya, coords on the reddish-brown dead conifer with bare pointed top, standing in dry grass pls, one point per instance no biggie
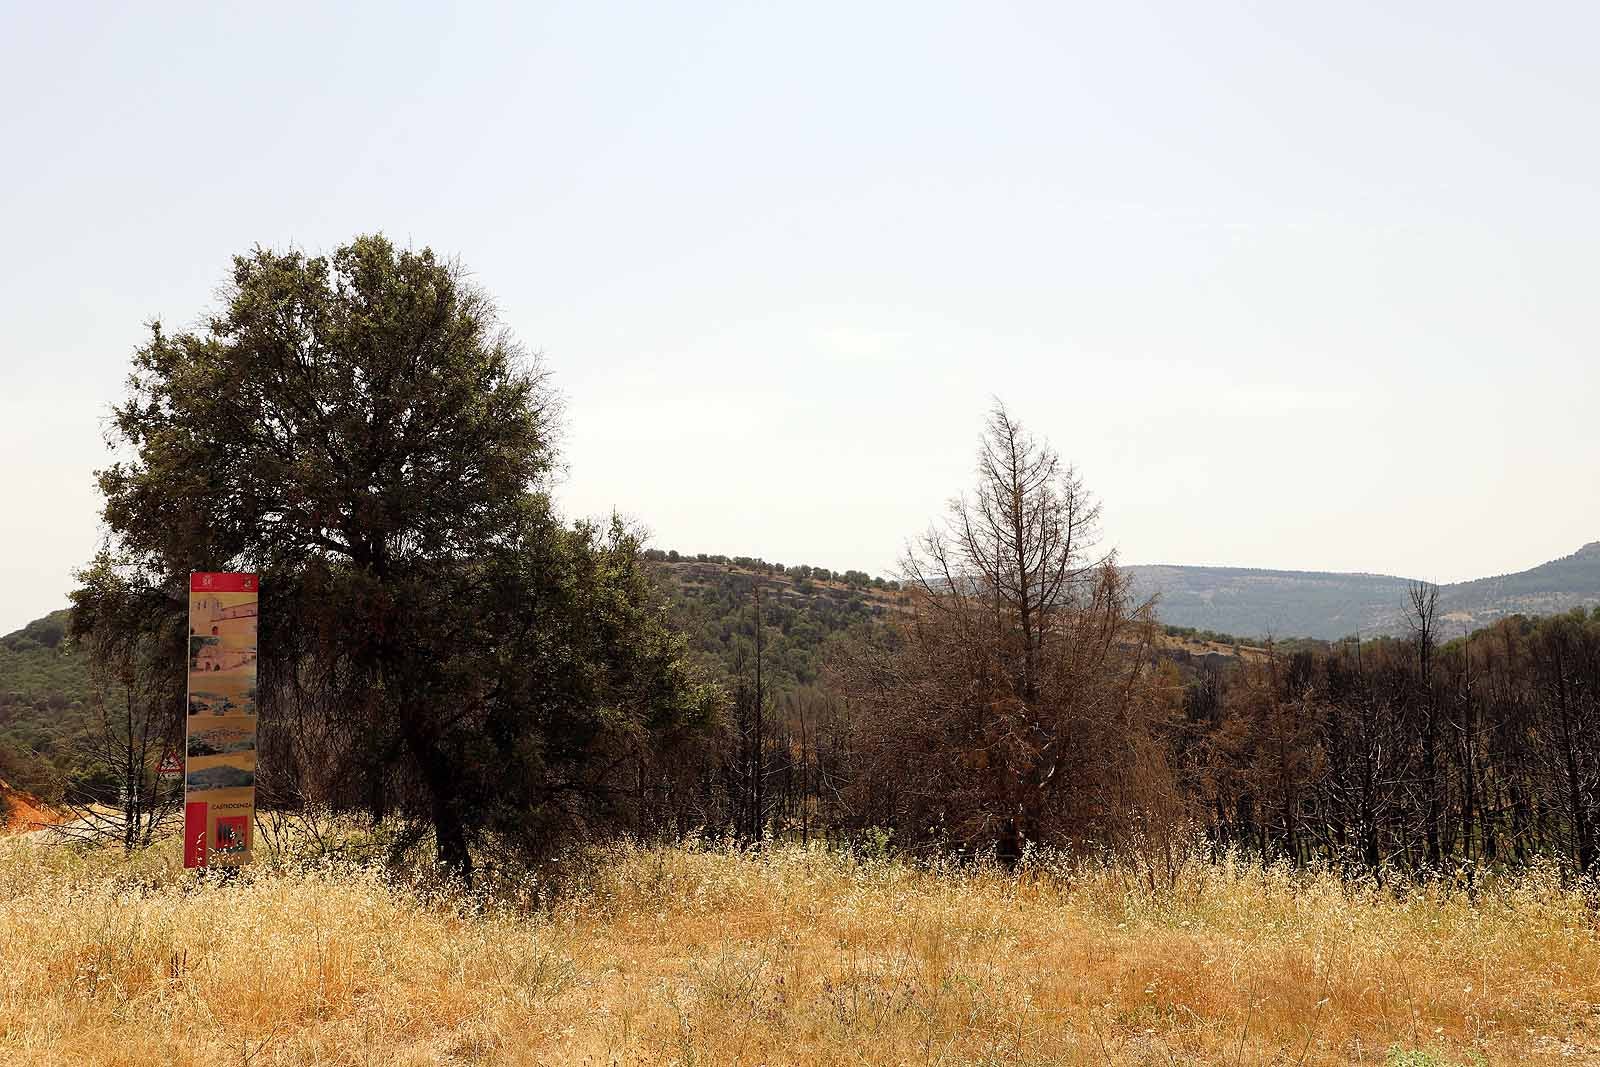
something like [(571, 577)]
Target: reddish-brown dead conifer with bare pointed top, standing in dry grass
[(1009, 708)]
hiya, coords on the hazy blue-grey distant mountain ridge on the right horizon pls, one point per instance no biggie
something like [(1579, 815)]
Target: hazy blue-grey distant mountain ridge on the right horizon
[(1332, 605)]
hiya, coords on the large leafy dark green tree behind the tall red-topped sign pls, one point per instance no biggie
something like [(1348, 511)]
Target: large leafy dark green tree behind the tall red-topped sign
[(436, 642)]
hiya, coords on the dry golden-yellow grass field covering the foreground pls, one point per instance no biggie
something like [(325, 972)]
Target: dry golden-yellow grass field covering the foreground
[(794, 957)]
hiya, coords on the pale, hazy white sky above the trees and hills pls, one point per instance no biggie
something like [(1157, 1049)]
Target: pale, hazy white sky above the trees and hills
[(1290, 286)]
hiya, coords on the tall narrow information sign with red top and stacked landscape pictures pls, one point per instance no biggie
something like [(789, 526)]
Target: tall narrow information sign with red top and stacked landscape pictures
[(220, 745)]
